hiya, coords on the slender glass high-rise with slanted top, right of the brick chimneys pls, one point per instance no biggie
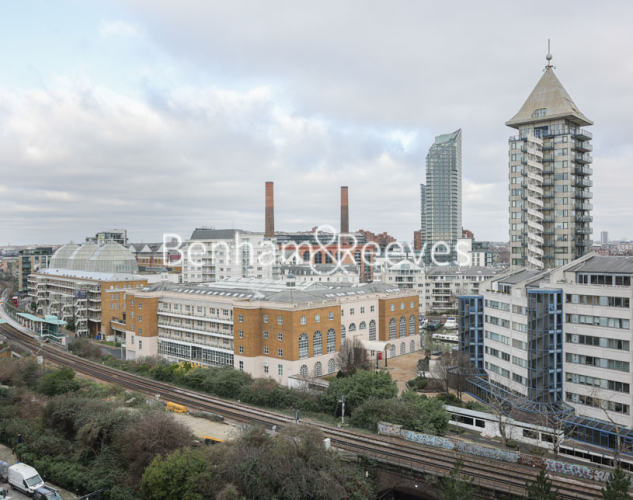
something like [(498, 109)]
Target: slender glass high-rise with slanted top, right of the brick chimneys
[(442, 195)]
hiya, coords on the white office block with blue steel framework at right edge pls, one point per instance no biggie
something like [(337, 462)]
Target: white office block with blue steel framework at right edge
[(561, 340)]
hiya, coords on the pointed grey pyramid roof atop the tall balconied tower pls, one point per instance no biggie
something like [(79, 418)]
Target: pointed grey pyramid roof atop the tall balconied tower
[(549, 94)]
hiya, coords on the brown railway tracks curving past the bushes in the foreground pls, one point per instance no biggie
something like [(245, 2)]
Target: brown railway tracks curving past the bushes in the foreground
[(489, 474)]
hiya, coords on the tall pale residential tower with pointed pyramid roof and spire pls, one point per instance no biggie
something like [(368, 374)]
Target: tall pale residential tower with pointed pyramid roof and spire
[(550, 178)]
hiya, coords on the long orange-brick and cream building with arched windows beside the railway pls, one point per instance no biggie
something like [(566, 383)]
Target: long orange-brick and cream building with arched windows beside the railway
[(277, 329)]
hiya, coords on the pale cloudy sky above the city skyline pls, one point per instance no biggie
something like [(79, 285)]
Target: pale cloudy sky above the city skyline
[(160, 116)]
